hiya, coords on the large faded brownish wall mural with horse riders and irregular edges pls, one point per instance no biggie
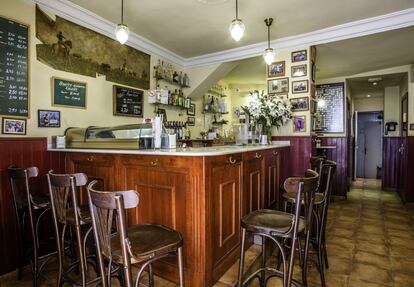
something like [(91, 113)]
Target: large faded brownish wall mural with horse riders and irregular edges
[(76, 49)]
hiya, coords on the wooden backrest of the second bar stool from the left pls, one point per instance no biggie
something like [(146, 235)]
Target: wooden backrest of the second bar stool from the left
[(61, 186)]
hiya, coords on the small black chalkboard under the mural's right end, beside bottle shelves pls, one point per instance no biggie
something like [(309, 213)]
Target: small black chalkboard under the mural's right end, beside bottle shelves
[(128, 102)]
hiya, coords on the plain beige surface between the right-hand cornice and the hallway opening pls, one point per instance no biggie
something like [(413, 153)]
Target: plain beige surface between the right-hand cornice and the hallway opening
[(369, 53)]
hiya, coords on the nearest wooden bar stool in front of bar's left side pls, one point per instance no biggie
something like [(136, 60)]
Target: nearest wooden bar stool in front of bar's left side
[(140, 244)]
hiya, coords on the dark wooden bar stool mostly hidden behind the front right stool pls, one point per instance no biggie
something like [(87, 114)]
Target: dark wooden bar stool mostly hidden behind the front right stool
[(320, 211)]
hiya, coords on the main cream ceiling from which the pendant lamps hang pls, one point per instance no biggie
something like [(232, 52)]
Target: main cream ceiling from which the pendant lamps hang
[(192, 28)]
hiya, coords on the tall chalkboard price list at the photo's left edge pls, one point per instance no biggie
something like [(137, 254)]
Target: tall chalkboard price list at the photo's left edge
[(14, 69)]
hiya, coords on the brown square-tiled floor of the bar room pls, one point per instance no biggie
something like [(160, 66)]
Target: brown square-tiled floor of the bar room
[(370, 238)]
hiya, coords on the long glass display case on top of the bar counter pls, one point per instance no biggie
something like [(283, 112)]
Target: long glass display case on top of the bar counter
[(135, 136)]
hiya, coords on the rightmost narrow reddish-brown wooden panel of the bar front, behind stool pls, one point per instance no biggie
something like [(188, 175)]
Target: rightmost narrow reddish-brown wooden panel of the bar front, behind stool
[(271, 198)]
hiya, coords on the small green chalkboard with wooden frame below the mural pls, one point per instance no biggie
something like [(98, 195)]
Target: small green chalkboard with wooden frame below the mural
[(68, 93)]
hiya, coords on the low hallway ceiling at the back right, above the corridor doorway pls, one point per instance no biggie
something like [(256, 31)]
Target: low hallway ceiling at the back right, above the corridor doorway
[(361, 87)]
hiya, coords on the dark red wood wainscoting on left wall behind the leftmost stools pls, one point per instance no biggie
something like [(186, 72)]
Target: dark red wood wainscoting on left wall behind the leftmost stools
[(22, 152)]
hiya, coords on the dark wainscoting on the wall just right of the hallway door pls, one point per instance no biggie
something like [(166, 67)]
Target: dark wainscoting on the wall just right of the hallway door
[(390, 162)]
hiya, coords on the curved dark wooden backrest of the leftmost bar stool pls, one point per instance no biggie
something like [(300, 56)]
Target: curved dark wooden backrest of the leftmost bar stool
[(19, 183)]
